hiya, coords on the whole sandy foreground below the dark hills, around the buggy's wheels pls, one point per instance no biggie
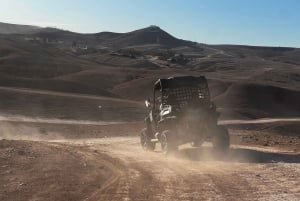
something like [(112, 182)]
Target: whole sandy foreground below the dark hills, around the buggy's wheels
[(76, 164)]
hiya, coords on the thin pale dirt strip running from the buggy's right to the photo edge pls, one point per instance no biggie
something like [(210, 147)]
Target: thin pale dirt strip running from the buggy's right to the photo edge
[(258, 121)]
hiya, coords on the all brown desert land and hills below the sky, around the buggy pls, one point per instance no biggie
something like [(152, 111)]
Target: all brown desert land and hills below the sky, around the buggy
[(72, 107)]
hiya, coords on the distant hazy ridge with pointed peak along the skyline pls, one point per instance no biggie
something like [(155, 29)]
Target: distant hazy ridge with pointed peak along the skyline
[(152, 35)]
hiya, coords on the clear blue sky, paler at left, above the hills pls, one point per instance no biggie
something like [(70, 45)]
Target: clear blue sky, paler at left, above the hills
[(244, 22)]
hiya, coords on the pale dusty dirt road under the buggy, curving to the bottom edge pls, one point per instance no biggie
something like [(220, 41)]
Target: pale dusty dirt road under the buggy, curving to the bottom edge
[(245, 173)]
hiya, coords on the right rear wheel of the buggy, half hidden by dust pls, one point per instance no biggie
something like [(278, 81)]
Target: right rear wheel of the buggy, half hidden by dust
[(221, 139)]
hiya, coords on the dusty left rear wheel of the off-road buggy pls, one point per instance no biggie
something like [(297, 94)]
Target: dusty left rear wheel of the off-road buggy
[(167, 142)]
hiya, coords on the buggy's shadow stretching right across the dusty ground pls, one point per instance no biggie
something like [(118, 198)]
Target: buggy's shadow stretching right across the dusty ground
[(241, 155)]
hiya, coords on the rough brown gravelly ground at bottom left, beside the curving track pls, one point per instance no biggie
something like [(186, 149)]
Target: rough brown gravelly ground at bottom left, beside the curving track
[(45, 171)]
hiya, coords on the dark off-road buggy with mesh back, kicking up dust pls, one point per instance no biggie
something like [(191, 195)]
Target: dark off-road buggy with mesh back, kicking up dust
[(182, 112)]
